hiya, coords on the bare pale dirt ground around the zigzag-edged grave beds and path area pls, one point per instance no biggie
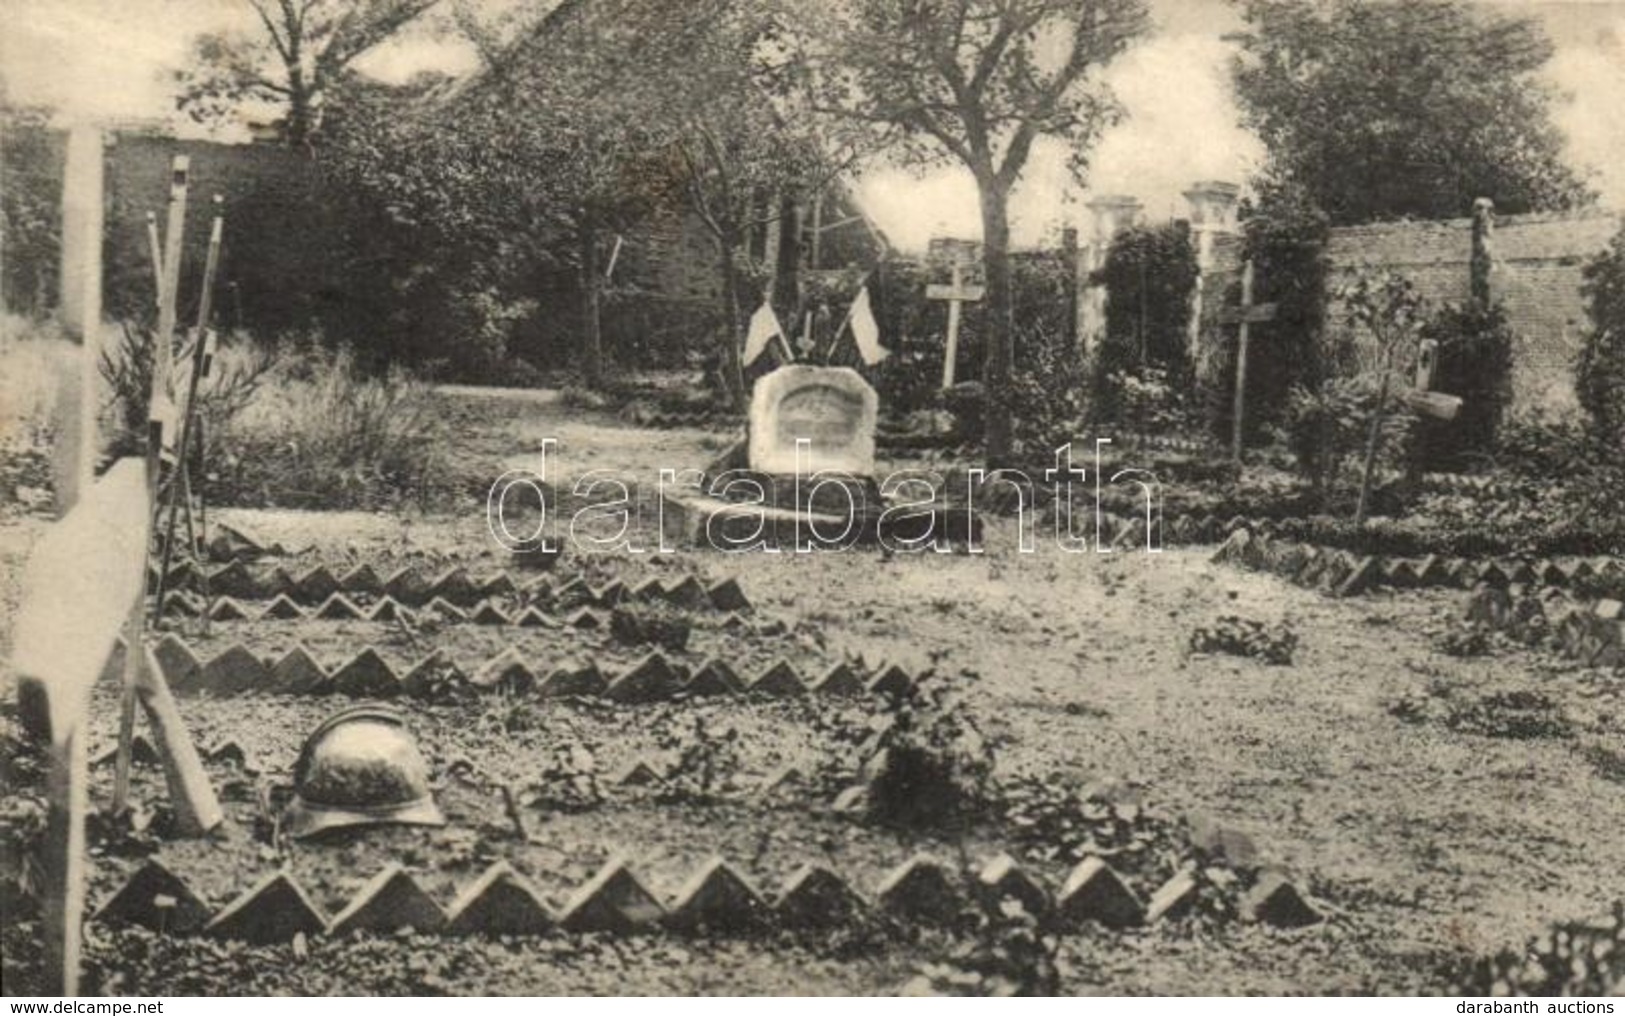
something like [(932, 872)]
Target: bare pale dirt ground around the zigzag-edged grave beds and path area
[(1424, 843)]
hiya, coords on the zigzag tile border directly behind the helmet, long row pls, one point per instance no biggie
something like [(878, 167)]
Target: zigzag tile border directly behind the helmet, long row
[(654, 679)]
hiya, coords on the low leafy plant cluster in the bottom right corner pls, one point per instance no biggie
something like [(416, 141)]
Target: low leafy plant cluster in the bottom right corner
[(1571, 960)]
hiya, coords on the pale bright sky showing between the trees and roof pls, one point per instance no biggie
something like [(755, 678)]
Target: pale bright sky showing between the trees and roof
[(113, 59)]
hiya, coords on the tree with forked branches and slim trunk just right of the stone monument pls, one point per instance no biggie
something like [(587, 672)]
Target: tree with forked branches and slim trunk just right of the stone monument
[(977, 84)]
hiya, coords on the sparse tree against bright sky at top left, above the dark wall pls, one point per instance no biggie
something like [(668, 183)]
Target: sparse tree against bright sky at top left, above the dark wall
[(297, 54)]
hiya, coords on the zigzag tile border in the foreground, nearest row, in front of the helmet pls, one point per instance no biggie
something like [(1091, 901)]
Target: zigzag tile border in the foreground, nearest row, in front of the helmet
[(717, 900)]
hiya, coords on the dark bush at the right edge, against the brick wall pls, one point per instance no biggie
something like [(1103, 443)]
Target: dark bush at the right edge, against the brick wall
[(1600, 376)]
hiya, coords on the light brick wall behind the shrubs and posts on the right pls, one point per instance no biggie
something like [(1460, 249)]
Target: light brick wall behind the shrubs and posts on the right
[(1536, 276)]
